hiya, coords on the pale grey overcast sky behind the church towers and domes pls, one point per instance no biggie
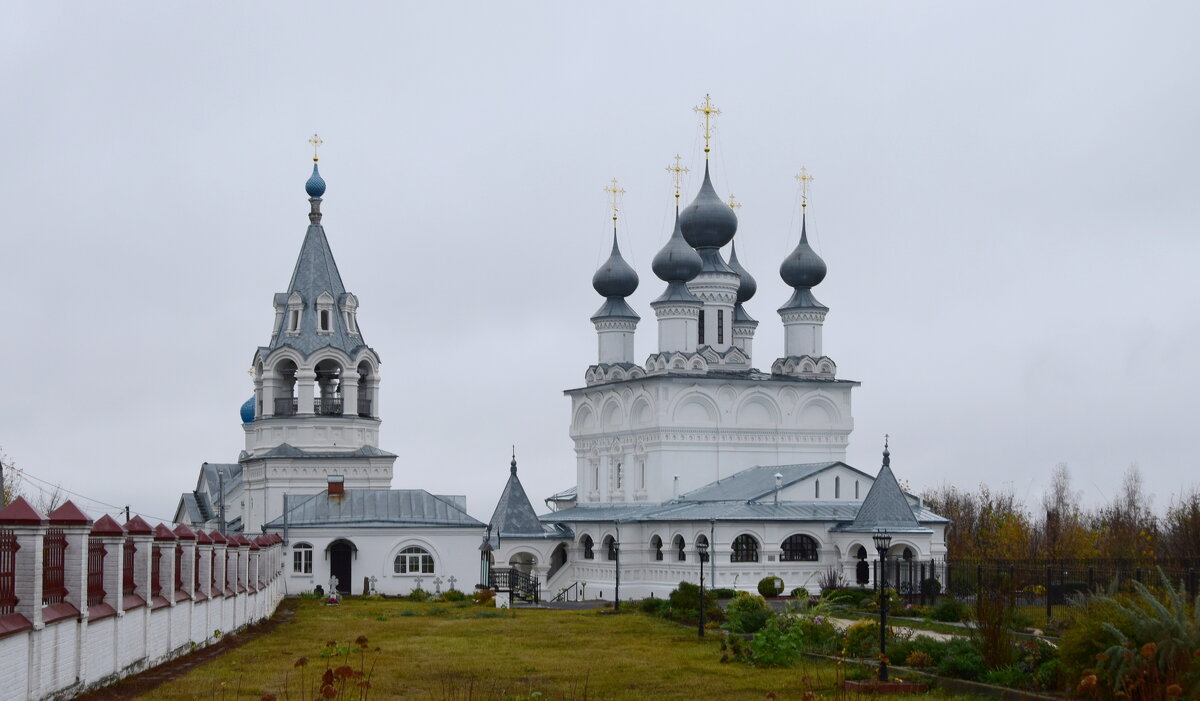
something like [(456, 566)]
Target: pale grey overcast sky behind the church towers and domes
[(1006, 197)]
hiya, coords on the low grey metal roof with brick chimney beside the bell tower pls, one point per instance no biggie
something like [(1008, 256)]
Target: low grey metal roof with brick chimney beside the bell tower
[(369, 508)]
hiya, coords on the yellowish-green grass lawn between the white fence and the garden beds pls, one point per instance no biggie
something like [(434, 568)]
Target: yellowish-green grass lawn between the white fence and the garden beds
[(461, 651)]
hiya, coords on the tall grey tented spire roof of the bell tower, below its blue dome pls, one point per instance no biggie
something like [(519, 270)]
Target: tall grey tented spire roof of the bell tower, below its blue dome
[(316, 272)]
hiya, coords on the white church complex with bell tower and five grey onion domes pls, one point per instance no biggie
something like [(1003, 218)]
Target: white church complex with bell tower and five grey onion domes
[(692, 452)]
